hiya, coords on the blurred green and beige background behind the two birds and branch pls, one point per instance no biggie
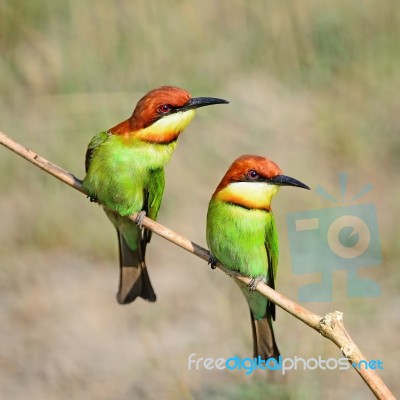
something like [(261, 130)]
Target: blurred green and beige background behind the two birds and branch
[(313, 85)]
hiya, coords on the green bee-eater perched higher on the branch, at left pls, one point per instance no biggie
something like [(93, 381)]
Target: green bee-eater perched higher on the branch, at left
[(125, 174)]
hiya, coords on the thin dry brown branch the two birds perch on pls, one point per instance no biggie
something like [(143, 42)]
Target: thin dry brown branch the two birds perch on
[(330, 326)]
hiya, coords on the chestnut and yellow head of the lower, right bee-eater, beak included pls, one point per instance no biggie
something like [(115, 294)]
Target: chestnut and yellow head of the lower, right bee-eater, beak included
[(251, 182)]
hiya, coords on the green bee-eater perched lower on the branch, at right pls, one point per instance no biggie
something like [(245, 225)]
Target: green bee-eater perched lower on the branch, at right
[(241, 234)]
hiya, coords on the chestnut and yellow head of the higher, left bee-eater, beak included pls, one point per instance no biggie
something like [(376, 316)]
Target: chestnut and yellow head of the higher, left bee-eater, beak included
[(162, 114)]
